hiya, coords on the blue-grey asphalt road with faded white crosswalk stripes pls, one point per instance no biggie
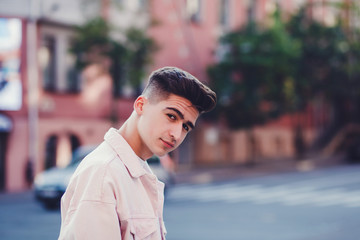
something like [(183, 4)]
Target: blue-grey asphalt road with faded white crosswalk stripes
[(317, 205)]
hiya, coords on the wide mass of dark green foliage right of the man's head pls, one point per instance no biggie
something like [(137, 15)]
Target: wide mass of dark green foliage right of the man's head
[(266, 73)]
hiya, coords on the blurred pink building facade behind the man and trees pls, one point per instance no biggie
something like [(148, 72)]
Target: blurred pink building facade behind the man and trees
[(55, 116)]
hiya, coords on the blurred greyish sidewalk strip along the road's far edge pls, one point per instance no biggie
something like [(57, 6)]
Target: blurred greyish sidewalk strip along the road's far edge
[(198, 175)]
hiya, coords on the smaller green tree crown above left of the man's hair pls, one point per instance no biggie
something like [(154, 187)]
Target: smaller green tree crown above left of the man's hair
[(127, 59)]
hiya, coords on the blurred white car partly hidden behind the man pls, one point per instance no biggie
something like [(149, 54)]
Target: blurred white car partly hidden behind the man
[(50, 185)]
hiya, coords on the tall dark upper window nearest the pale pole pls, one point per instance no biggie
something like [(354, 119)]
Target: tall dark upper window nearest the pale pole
[(47, 59)]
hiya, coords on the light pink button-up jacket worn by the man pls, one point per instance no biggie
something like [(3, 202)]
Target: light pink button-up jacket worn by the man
[(111, 196)]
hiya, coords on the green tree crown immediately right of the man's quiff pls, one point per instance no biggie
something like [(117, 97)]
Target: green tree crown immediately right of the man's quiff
[(254, 80)]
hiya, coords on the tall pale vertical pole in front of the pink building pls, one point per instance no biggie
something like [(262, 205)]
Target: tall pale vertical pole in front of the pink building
[(32, 86)]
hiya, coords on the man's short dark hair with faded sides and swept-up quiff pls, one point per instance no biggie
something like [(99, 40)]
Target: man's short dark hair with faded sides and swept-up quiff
[(172, 80)]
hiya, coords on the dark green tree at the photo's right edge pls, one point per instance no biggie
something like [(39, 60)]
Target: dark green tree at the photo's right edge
[(329, 67)]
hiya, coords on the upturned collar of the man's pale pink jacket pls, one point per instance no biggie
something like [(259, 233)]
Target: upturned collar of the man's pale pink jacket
[(124, 152)]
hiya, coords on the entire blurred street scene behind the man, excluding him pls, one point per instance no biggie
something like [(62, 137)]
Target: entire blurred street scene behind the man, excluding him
[(277, 159)]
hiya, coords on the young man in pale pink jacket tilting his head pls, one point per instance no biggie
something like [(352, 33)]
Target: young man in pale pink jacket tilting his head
[(113, 194)]
